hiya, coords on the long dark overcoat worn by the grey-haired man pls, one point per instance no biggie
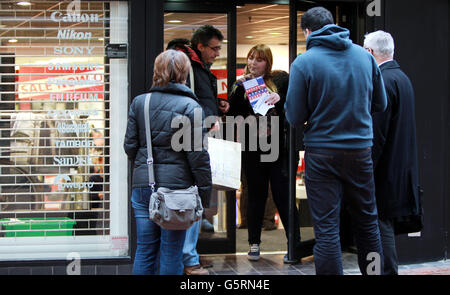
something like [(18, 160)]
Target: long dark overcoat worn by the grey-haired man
[(395, 149)]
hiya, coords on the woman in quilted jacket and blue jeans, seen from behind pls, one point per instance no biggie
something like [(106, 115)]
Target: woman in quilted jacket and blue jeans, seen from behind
[(174, 167)]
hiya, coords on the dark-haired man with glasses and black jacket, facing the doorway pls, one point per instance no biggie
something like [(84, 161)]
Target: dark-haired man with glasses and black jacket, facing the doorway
[(204, 49)]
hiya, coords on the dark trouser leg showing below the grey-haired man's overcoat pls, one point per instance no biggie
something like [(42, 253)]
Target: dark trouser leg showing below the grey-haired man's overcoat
[(389, 251)]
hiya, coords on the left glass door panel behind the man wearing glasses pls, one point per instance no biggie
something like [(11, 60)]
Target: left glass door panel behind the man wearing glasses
[(181, 20)]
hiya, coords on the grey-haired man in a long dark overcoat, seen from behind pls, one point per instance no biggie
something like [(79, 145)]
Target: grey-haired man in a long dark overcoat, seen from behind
[(394, 151)]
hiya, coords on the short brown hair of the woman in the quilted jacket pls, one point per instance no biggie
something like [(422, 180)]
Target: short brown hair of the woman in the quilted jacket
[(171, 66)]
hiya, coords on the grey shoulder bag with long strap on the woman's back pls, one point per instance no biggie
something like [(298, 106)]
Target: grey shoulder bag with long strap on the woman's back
[(170, 209)]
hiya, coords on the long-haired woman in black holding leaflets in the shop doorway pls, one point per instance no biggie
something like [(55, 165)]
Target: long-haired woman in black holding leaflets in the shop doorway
[(257, 172)]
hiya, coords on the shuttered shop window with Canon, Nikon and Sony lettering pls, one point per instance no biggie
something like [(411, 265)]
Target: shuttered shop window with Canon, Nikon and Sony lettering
[(63, 181)]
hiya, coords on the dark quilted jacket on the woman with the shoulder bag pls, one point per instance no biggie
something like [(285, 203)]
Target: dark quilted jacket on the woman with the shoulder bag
[(173, 169)]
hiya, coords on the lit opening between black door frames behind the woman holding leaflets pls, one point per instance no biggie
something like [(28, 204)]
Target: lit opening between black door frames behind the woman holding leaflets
[(266, 24)]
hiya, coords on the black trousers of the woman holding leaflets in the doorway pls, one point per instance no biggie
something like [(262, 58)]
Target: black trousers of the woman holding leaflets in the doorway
[(259, 175)]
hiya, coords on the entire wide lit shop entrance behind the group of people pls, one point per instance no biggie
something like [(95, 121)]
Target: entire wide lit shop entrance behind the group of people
[(245, 24)]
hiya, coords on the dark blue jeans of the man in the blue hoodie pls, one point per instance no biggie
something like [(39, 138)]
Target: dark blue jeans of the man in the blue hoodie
[(331, 177)]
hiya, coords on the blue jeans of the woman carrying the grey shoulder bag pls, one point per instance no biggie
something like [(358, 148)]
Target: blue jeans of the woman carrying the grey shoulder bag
[(152, 240)]
